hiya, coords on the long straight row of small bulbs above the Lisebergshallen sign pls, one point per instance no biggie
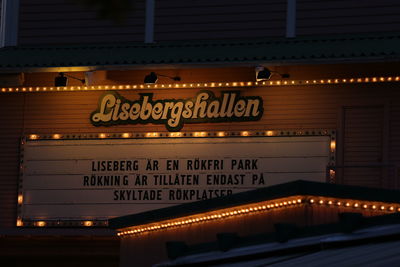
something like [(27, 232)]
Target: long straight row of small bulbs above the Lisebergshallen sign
[(203, 85)]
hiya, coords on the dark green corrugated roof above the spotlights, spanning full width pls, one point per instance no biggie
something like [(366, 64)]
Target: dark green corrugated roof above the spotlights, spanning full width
[(369, 47)]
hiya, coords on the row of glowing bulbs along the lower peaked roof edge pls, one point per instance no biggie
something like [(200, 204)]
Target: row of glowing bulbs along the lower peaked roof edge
[(260, 207)]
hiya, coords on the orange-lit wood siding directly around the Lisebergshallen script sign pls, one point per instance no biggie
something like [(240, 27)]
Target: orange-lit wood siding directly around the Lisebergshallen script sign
[(292, 107)]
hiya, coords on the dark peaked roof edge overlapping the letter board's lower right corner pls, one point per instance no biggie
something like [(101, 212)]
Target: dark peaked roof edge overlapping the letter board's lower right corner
[(296, 188)]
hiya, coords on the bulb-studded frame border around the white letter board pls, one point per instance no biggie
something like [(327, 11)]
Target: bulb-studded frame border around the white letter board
[(132, 135)]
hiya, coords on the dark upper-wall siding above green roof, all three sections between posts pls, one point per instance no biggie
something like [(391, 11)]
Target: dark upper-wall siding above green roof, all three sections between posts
[(62, 21)]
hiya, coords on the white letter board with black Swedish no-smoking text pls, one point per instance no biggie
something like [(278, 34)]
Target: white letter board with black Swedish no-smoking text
[(102, 178)]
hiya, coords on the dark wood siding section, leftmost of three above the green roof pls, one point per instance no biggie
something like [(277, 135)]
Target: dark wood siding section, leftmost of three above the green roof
[(65, 22)]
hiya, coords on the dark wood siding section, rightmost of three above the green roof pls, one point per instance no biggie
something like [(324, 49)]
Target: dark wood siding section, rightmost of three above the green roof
[(347, 16)]
